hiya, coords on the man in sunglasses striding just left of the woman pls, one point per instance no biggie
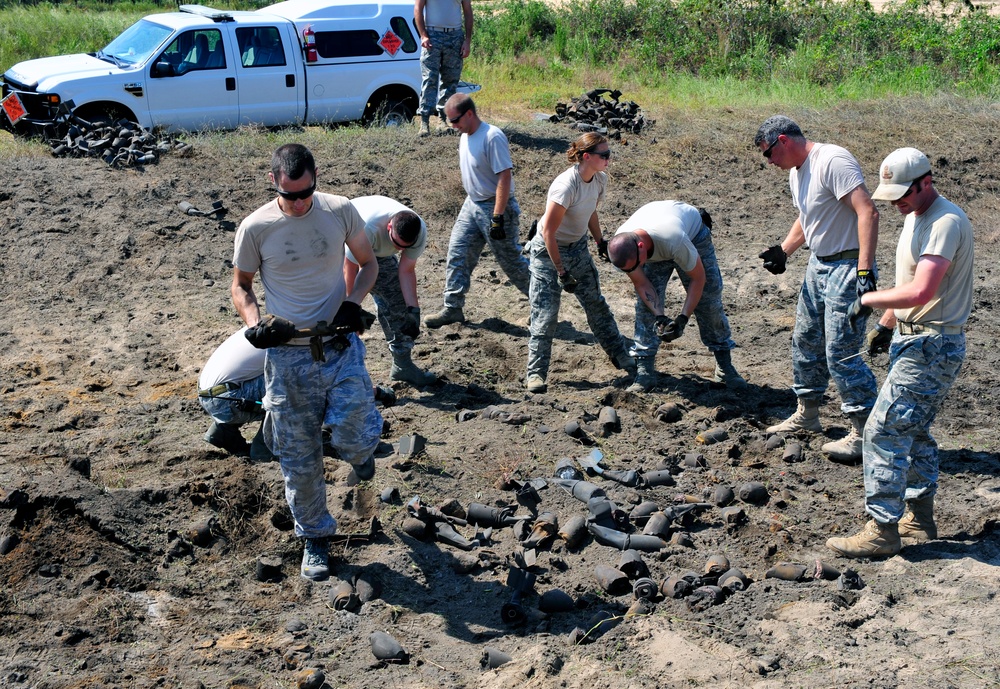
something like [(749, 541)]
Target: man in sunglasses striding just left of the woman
[(490, 213)]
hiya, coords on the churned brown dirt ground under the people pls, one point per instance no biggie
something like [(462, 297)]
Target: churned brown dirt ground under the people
[(114, 299)]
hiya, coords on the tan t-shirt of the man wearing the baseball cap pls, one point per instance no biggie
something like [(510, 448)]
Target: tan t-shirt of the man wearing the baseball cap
[(942, 230)]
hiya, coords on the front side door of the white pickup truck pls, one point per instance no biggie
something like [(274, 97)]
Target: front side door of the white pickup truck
[(192, 83)]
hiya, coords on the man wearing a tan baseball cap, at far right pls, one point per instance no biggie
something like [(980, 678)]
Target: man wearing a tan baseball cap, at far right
[(928, 309)]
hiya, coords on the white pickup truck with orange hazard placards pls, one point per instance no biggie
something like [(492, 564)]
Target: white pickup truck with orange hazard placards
[(292, 63)]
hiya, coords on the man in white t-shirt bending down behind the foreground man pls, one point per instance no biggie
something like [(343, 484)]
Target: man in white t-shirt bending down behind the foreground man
[(398, 237)]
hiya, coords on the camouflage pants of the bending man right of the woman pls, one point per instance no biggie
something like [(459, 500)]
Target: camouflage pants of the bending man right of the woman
[(713, 326)]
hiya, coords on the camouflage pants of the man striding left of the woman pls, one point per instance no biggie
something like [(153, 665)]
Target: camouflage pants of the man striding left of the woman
[(469, 235)]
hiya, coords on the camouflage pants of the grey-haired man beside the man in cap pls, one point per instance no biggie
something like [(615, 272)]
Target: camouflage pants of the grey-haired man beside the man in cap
[(823, 338)]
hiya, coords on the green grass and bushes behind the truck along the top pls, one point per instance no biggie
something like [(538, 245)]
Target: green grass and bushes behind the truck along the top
[(915, 46)]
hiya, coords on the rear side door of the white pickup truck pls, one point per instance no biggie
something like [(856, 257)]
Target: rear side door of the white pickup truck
[(269, 81)]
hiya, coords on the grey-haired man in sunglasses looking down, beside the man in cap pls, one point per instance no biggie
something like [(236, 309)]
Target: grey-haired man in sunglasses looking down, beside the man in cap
[(839, 223)]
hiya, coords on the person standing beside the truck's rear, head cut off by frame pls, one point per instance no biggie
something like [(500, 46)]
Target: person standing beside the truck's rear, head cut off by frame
[(445, 28)]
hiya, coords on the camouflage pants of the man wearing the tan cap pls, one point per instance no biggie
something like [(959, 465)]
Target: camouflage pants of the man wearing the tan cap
[(900, 455)]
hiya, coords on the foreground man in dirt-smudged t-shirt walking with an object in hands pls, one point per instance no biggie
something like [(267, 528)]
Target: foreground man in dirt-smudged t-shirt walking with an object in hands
[(297, 243)]
